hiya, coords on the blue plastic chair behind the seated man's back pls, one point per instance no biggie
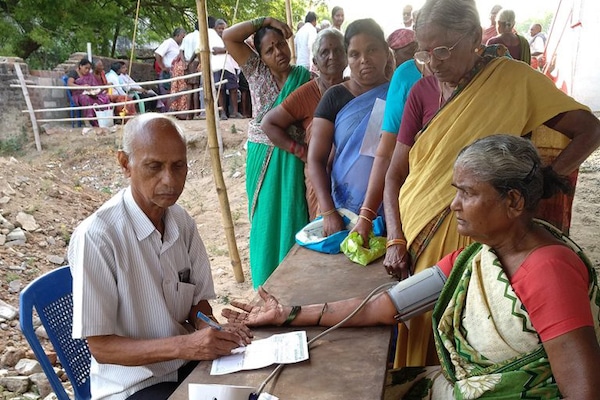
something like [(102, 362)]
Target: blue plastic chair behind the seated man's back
[(52, 296)]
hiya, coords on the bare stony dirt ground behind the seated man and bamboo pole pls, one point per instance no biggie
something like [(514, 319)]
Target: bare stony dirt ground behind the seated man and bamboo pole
[(76, 173)]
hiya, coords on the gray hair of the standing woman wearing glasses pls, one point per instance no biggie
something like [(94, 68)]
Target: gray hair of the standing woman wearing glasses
[(454, 15)]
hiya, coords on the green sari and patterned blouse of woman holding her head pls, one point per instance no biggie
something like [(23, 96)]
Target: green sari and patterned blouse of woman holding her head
[(274, 177)]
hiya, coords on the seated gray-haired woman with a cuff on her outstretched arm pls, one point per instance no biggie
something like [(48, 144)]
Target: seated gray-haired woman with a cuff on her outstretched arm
[(517, 316)]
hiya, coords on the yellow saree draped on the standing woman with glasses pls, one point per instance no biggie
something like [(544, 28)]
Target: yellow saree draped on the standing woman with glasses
[(487, 105)]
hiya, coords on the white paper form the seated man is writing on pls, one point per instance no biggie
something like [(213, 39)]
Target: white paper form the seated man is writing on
[(282, 348)]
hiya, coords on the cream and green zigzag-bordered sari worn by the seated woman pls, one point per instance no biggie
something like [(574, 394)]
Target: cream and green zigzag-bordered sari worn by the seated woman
[(492, 350)]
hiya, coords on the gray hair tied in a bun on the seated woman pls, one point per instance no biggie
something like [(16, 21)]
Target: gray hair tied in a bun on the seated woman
[(510, 162)]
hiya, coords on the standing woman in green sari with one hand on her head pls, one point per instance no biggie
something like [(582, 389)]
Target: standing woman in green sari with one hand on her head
[(274, 177)]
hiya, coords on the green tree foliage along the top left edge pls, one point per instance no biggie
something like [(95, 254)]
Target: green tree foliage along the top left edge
[(46, 32)]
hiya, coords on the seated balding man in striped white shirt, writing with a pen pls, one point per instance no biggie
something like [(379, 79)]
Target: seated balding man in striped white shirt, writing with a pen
[(141, 274)]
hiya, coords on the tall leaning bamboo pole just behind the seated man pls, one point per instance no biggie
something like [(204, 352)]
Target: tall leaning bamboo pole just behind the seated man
[(213, 143)]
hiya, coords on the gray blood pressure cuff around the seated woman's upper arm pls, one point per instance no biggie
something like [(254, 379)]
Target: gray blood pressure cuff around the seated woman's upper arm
[(418, 293)]
